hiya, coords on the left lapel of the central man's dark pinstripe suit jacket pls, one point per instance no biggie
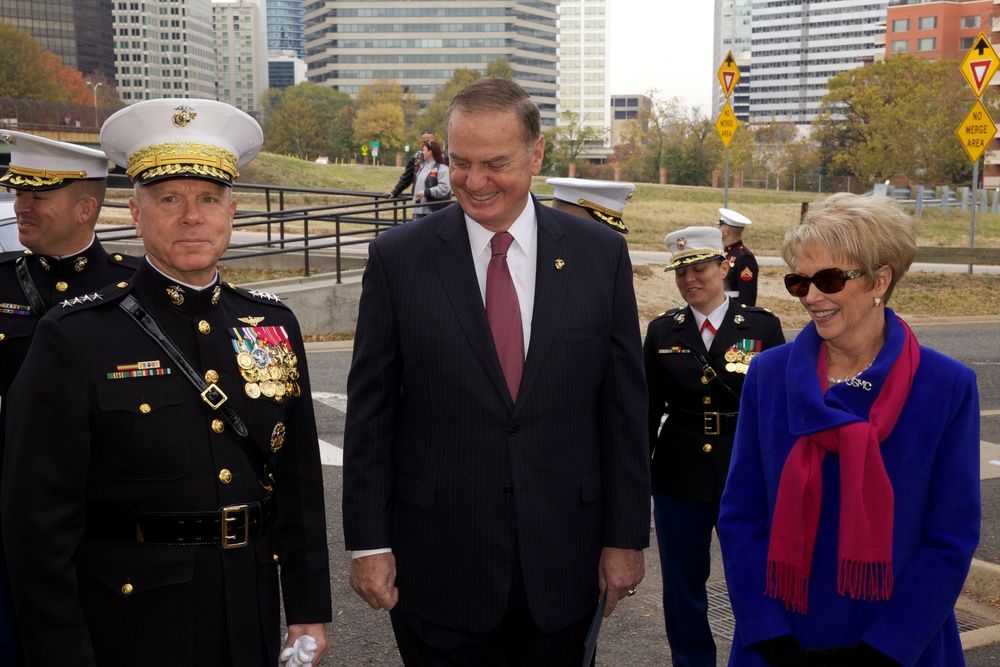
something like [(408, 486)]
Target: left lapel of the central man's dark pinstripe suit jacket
[(458, 274)]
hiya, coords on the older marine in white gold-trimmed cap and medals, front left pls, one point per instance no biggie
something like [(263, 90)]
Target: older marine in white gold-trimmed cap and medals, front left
[(175, 478)]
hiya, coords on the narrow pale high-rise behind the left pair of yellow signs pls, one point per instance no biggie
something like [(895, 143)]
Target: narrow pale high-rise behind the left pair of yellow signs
[(732, 34)]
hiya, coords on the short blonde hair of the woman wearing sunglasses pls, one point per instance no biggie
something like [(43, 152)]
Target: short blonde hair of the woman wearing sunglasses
[(868, 230)]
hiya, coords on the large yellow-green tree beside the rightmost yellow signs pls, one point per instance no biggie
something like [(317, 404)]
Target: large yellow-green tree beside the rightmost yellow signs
[(896, 118)]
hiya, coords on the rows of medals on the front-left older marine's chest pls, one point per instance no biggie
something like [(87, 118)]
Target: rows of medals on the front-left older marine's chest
[(267, 362)]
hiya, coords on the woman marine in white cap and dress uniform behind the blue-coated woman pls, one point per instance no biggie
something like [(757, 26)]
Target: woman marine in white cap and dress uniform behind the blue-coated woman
[(696, 359)]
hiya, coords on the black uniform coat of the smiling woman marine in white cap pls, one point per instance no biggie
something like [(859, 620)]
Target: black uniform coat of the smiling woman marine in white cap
[(687, 463)]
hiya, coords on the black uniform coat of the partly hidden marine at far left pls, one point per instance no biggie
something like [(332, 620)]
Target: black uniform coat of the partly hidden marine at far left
[(84, 272)]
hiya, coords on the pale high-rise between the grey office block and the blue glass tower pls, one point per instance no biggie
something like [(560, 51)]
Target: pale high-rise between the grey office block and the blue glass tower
[(241, 53)]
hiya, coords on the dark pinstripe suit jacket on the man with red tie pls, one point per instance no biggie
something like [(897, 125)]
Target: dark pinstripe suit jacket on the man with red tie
[(441, 466)]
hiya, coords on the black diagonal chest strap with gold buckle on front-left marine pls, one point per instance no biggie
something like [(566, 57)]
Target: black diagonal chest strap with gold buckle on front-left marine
[(210, 393)]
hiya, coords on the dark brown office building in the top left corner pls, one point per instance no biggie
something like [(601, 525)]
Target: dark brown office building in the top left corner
[(78, 31)]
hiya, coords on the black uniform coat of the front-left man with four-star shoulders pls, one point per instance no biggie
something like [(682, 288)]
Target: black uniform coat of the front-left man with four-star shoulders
[(112, 435)]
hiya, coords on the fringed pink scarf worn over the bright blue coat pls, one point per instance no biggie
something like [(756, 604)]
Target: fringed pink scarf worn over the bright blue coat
[(864, 549)]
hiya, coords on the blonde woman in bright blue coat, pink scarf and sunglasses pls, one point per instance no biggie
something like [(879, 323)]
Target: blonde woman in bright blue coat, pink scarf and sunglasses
[(852, 508)]
